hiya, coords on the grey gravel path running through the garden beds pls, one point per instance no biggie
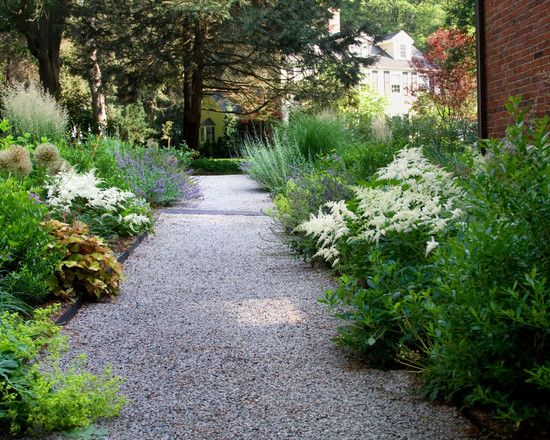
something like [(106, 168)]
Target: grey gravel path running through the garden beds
[(219, 336)]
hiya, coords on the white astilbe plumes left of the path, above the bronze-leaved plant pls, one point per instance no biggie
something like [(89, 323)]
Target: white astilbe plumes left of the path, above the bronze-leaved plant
[(68, 185)]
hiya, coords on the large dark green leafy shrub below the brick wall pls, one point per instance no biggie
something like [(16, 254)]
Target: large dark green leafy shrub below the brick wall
[(490, 320)]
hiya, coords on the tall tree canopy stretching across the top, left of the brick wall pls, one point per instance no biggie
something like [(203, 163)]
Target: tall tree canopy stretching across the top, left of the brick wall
[(167, 55)]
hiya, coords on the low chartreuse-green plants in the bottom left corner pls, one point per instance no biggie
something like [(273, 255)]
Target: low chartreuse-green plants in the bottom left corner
[(36, 395)]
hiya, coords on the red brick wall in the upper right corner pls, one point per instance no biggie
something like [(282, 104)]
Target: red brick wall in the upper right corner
[(517, 57)]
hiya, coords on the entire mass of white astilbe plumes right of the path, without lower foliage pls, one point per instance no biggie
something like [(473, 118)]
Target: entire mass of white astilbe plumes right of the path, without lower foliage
[(411, 194)]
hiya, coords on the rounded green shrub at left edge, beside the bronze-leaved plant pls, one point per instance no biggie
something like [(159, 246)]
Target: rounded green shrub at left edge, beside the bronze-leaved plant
[(26, 256)]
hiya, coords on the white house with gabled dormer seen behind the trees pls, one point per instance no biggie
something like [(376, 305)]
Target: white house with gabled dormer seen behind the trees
[(392, 75)]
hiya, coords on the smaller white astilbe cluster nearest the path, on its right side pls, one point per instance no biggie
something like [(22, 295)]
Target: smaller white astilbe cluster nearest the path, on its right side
[(328, 228)]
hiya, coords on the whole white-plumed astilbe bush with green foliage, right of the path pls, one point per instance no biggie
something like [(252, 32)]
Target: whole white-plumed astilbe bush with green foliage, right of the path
[(381, 241)]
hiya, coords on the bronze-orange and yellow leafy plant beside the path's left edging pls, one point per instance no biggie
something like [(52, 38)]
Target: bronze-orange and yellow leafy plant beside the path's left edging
[(89, 265)]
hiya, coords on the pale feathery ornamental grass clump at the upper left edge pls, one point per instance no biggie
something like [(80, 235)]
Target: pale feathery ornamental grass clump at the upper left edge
[(33, 111)]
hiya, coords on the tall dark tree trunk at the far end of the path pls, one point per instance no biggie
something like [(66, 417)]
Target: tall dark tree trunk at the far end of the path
[(192, 88)]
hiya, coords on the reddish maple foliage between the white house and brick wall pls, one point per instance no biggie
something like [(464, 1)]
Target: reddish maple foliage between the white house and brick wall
[(449, 65)]
